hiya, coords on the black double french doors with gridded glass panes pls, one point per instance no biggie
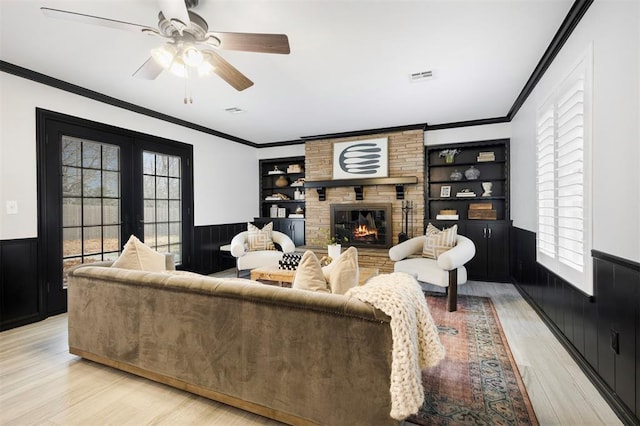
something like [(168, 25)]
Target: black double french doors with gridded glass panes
[(97, 186)]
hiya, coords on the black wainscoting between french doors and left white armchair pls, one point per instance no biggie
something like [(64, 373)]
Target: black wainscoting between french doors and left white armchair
[(207, 242)]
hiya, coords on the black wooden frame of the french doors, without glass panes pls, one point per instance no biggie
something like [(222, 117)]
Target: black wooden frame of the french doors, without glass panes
[(52, 300)]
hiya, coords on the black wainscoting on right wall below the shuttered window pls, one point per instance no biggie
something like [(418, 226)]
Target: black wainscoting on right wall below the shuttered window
[(589, 326)]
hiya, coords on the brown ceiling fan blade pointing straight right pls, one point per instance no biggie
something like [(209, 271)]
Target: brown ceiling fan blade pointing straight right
[(252, 42)]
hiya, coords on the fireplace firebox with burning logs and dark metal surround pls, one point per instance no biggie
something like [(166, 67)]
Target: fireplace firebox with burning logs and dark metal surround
[(365, 225)]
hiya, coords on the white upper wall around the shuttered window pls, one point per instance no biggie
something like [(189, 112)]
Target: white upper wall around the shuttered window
[(613, 28)]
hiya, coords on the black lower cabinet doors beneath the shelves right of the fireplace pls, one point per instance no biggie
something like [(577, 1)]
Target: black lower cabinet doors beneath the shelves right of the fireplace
[(491, 262)]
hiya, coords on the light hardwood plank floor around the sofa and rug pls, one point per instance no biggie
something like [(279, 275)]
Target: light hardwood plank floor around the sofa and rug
[(41, 383)]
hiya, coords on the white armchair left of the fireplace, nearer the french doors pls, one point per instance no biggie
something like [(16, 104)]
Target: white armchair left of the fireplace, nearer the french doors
[(246, 260)]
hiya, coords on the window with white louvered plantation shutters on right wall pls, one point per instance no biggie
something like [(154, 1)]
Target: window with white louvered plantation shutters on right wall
[(563, 178)]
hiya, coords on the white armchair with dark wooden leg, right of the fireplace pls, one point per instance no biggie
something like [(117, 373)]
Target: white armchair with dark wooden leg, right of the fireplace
[(448, 271)]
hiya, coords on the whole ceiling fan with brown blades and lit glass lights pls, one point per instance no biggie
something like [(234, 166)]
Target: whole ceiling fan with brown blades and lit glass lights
[(190, 48)]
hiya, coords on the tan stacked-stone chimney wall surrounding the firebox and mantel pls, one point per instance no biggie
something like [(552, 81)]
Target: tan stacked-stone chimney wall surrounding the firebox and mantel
[(406, 158)]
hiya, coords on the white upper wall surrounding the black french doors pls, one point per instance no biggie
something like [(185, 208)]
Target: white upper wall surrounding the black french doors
[(225, 173)]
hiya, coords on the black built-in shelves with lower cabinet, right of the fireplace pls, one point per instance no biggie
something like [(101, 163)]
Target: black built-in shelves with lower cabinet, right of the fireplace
[(471, 189)]
